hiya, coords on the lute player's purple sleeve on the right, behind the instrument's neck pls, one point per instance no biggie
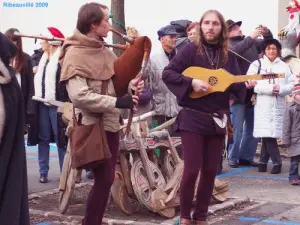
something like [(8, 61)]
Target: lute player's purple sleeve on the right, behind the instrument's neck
[(237, 89)]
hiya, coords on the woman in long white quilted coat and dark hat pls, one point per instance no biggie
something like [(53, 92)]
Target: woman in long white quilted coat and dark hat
[(270, 103)]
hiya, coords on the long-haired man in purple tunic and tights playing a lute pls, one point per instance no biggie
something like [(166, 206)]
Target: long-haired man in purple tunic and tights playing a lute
[(198, 121)]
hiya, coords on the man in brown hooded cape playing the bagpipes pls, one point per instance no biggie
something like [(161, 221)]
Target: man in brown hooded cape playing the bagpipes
[(87, 67)]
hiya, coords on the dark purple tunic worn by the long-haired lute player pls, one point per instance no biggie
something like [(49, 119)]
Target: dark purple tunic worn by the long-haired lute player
[(193, 117)]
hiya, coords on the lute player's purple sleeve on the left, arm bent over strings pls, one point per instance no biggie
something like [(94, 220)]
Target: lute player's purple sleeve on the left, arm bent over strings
[(172, 76)]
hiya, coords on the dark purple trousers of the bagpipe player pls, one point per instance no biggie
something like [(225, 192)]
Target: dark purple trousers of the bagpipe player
[(104, 176)]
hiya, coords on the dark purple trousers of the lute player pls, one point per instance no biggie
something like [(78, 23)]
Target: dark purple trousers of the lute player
[(199, 152)]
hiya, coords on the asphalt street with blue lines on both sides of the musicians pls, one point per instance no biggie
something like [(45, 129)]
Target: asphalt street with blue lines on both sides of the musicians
[(275, 201)]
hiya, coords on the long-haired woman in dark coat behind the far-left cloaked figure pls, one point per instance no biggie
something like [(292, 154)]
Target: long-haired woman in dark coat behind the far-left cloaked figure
[(22, 65)]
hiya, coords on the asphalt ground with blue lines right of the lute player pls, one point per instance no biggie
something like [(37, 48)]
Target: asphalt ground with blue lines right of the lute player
[(275, 201)]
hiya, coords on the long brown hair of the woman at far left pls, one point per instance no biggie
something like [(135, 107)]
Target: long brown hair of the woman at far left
[(20, 54)]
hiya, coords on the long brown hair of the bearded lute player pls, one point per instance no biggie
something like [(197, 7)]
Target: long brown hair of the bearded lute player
[(223, 39)]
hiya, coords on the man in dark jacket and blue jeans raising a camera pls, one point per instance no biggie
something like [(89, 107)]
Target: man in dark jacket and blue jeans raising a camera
[(242, 150)]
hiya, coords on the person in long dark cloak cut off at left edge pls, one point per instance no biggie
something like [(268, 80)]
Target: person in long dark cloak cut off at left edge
[(13, 170)]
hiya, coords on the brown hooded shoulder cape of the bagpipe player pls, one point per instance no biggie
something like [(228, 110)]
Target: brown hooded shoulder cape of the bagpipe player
[(86, 57)]
